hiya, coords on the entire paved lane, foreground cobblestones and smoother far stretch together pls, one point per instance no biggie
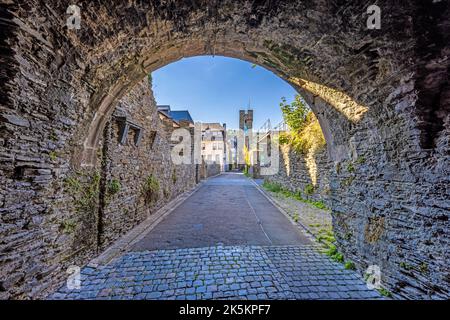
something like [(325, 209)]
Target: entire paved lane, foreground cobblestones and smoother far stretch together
[(227, 241)]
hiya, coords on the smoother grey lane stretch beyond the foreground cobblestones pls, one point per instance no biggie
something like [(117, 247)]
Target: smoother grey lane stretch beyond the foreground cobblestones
[(226, 210)]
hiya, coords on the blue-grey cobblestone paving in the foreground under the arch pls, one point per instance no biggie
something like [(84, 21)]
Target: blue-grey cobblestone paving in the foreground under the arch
[(232, 272)]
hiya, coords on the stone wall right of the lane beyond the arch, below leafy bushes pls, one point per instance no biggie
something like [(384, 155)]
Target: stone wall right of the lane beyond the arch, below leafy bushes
[(296, 174)]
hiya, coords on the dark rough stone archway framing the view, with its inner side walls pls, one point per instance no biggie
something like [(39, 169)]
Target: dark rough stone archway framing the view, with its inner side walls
[(383, 94)]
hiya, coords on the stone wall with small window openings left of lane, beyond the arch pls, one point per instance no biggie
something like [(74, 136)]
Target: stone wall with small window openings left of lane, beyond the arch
[(132, 165)]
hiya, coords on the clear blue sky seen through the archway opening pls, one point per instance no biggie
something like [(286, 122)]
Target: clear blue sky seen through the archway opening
[(214, 89)]
